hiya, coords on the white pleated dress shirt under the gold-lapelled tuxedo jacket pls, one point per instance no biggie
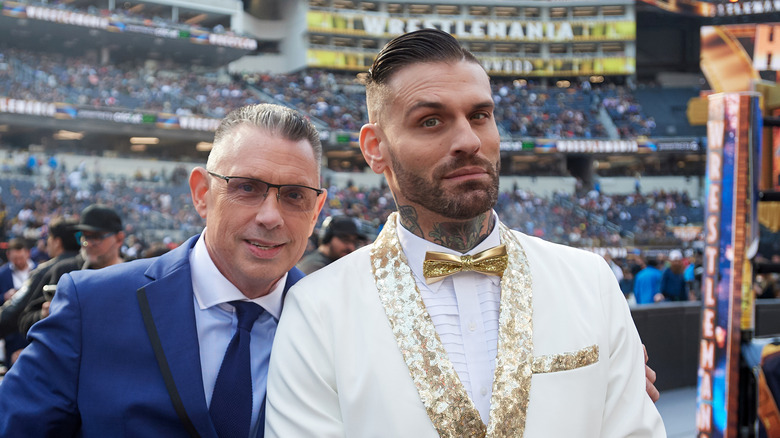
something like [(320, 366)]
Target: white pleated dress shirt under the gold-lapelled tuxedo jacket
[(464, 308)]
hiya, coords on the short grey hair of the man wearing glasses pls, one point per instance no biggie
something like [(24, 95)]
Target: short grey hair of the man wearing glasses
[(276, 119)]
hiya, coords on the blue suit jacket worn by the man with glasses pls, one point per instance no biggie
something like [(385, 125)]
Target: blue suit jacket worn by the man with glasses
[(91, 369)]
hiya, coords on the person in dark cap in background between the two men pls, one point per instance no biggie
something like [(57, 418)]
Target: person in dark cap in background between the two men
[(340, 236)]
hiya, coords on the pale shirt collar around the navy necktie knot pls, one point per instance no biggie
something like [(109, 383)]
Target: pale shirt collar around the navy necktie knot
[(211, 288)]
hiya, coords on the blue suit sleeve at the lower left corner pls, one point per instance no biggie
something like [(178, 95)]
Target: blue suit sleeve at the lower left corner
[(38, 395)]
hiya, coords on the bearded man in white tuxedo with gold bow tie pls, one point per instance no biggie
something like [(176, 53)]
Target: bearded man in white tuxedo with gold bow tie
[(450, 324)]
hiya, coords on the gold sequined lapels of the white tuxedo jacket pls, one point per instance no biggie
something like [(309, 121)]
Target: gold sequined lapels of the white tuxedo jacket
[(446, 401)]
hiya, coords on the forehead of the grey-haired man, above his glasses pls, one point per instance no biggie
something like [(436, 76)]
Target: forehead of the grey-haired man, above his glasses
[(256, 152)]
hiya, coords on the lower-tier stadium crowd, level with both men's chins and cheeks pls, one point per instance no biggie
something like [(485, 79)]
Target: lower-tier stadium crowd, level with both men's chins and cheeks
[(34, 189)]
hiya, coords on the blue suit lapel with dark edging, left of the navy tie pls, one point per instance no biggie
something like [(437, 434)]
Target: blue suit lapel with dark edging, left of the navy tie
[(170, 304)]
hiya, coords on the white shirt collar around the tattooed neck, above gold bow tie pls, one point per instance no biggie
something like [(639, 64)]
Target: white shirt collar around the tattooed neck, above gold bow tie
[(415, 247)]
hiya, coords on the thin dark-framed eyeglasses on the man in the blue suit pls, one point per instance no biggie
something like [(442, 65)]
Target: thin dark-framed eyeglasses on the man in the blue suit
[(252, 192)]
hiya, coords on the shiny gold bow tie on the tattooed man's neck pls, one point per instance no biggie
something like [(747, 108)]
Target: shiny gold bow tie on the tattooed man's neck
[(438, 265)]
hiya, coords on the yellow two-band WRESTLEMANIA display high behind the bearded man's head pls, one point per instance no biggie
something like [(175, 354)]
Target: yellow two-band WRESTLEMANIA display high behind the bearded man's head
[(357, 24)]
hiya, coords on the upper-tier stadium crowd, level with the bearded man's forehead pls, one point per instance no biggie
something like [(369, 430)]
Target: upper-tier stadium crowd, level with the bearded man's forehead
[(336, 99)]
